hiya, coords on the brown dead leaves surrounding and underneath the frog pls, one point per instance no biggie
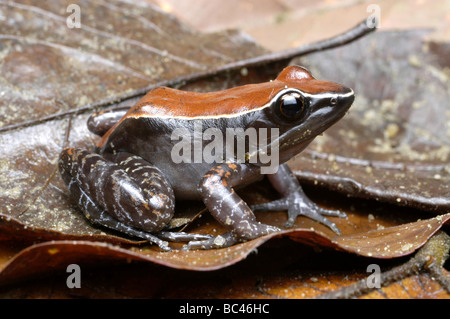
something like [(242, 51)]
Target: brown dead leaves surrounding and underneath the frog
[(398, 158)]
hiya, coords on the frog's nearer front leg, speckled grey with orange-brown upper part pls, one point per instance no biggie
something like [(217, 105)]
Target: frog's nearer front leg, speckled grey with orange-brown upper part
[(216, 190)]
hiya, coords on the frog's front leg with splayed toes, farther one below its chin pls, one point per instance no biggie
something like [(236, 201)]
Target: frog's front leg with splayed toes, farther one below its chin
[(295, 201)]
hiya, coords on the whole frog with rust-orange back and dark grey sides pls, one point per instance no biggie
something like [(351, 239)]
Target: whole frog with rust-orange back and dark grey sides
[(130, 181)]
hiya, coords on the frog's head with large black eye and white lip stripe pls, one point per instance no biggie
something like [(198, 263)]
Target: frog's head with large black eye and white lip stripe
[(303, 108)]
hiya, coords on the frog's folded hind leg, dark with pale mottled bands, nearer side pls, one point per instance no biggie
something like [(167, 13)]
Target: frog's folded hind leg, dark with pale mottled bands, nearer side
[(131, 196)]
